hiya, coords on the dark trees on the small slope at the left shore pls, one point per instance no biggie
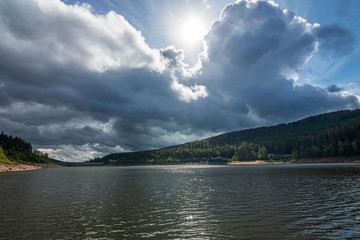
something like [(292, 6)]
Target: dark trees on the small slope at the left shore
[(18, 150)]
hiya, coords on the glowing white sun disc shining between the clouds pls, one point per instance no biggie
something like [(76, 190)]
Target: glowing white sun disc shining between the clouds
[(193, 30)]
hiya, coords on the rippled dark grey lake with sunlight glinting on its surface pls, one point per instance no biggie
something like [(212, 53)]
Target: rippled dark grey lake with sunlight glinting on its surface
[(295, 201)]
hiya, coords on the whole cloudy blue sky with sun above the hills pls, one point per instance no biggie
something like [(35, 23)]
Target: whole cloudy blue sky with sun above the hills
[(82, 79)]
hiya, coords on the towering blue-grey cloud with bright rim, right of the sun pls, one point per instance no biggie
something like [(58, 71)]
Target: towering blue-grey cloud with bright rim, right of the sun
[(254, 51)]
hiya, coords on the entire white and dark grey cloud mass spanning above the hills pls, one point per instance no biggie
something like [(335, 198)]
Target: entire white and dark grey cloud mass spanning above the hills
[(80, 85)]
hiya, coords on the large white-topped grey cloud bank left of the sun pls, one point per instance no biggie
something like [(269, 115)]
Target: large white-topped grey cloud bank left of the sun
[(73, 80)]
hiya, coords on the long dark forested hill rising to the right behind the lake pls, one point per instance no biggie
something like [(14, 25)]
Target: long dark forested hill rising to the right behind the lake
[(326, 135)]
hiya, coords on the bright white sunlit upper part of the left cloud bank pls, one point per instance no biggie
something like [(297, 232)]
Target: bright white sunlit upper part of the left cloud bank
[(72, 34)]
